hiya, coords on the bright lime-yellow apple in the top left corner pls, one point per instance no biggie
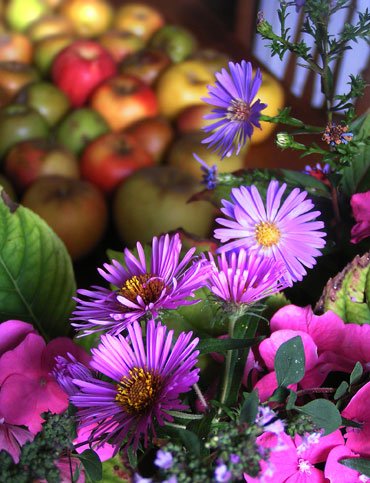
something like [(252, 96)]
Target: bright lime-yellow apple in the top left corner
[(21, 13)]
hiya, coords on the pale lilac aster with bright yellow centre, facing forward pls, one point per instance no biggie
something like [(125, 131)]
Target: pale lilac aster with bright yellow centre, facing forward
[(285, 233)]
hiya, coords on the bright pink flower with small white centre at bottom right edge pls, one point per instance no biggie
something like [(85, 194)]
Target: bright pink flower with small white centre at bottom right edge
[(291, 464)]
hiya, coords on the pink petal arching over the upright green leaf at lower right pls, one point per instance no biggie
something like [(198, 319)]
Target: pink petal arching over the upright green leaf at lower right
[(269, 347)]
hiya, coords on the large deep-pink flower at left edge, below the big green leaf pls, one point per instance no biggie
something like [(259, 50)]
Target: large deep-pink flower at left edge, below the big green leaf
[(27, 386)]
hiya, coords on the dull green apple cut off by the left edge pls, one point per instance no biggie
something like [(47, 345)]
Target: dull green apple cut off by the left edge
[(18, 123)]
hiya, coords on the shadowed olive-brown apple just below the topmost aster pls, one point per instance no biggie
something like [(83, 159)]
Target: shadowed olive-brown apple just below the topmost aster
[(181, 156)]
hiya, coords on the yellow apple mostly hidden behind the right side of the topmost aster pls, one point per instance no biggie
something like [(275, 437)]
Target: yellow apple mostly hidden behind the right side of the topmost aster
[(271, 93)]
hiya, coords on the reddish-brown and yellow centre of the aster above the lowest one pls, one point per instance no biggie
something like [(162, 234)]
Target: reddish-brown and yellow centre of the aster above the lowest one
[(148, 287)]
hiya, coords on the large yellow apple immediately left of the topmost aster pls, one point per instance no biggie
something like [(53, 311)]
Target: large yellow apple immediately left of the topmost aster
[(182, 85)]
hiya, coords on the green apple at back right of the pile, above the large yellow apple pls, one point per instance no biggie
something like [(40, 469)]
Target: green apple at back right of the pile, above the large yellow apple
[(178, 42)]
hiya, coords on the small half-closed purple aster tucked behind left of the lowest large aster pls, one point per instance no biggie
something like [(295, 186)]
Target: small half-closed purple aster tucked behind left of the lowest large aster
[(66, 370)]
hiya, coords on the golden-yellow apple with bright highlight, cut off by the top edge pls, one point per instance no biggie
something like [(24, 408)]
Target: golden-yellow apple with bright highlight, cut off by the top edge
[(90, 18)]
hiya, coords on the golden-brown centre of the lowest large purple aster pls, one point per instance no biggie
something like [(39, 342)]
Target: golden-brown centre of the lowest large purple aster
[(139, 391)]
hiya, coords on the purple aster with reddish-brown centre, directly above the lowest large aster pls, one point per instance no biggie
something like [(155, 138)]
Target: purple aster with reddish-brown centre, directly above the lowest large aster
[(141, 290)]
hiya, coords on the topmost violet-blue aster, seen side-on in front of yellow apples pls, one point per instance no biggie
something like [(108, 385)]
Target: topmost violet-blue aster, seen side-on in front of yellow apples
[(235, 115)]
